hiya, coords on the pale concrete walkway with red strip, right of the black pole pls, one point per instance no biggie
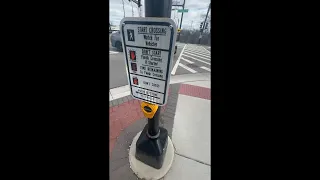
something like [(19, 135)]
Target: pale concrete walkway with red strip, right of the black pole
[(191, 133)]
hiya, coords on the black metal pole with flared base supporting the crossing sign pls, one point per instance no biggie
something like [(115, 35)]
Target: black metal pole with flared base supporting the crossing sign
[(151, 146)]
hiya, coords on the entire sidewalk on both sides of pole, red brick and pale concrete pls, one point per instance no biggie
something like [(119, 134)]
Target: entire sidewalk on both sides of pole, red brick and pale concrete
[(186, 116)]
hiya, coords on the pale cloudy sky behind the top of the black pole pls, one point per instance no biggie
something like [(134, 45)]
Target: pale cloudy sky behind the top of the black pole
[(191, 19)]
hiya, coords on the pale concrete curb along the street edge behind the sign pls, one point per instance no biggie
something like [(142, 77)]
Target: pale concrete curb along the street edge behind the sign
[(123, 91)]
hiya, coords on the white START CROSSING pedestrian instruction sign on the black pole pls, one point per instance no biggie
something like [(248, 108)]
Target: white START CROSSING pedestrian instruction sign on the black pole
[(148, 45)]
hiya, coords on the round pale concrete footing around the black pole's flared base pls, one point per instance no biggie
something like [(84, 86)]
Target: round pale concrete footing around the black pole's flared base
[(146, 172)]
